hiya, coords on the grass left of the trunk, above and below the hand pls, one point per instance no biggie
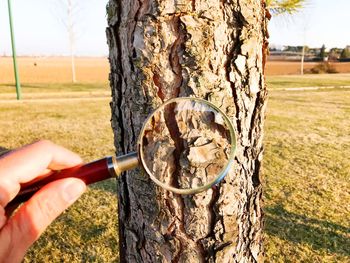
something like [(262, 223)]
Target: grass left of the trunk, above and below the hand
[(87, 232)]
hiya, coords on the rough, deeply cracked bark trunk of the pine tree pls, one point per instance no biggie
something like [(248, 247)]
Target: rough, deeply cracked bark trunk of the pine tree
[(209, 49)]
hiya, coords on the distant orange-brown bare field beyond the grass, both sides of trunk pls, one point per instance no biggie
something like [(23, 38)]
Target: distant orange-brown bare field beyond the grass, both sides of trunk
[(95, 70)]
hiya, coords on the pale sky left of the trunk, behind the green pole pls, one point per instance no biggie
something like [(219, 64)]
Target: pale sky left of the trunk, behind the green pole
[(39, 30)]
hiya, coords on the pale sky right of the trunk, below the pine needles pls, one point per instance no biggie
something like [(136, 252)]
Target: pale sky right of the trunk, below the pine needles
[(321, 22)]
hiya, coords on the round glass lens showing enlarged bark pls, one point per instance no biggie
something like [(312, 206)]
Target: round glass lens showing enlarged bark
[(187, 144)]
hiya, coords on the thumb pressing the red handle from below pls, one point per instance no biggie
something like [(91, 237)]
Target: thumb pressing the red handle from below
[(32, 218)]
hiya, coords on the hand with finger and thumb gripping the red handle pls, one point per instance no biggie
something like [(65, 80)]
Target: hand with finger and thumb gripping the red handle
[(32, 162)]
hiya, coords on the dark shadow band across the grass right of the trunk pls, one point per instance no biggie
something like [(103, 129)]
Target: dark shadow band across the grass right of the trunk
[(319, 234)]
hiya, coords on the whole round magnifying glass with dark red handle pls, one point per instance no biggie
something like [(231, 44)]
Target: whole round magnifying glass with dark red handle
[(186, 146)]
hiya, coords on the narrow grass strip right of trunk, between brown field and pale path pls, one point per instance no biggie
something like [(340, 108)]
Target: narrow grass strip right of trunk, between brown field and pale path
[(316, 80)]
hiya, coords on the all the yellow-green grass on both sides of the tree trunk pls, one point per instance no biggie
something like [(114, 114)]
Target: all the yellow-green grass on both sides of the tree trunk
[(305, 168)]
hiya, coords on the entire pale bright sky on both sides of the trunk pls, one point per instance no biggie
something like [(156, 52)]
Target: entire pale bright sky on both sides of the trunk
[(39, 31)]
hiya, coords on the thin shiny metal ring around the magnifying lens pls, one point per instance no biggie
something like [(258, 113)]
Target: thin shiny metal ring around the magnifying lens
[(224, 170)]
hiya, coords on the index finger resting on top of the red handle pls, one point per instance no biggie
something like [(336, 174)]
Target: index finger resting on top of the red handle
[(25, 164)]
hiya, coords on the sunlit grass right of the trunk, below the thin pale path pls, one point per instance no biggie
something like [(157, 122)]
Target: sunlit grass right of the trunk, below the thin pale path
[(306, 169)]
